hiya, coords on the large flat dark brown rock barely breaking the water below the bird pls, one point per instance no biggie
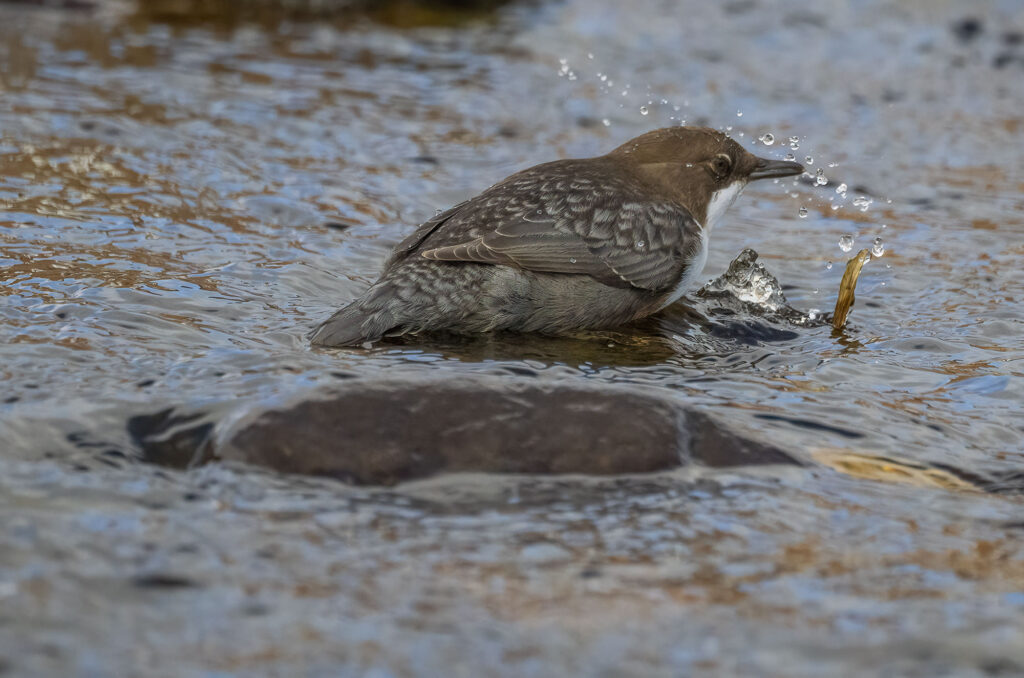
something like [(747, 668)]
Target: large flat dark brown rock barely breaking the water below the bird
[(382, 433)]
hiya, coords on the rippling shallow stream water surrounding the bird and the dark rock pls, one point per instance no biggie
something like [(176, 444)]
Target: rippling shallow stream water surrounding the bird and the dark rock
[(182, 203)]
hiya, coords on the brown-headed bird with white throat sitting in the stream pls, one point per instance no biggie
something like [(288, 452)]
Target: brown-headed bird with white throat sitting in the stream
[(562, 247)]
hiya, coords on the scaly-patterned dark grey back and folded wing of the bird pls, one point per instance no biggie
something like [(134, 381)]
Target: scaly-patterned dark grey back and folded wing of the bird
[(563, 219)]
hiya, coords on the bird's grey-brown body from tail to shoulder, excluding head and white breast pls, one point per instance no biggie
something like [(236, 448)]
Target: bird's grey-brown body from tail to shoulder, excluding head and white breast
[(566, 245)]
